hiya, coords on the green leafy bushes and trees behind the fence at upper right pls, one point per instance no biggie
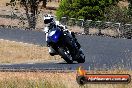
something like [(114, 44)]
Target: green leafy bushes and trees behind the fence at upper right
[(104, 10)]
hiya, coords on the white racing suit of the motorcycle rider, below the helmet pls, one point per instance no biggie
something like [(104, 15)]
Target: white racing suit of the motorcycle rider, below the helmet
[(46, 30)]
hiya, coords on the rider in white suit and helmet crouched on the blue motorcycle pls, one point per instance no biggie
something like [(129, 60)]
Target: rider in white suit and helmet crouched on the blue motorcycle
[(50, 22)]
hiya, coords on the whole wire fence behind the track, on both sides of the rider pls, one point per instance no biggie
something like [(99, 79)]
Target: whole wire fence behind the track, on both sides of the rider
[(17, 19)]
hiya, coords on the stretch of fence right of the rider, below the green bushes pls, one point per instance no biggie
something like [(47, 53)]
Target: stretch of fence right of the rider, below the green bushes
[(100, 27)]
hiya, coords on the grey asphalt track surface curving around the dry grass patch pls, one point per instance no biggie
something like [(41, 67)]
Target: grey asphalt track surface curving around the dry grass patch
[(101, 52)]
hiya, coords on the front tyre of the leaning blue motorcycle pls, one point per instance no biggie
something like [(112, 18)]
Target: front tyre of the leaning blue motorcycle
[(67, 57)]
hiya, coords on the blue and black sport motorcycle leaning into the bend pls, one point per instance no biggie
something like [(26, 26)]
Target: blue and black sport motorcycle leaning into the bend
[(65, 46)]
